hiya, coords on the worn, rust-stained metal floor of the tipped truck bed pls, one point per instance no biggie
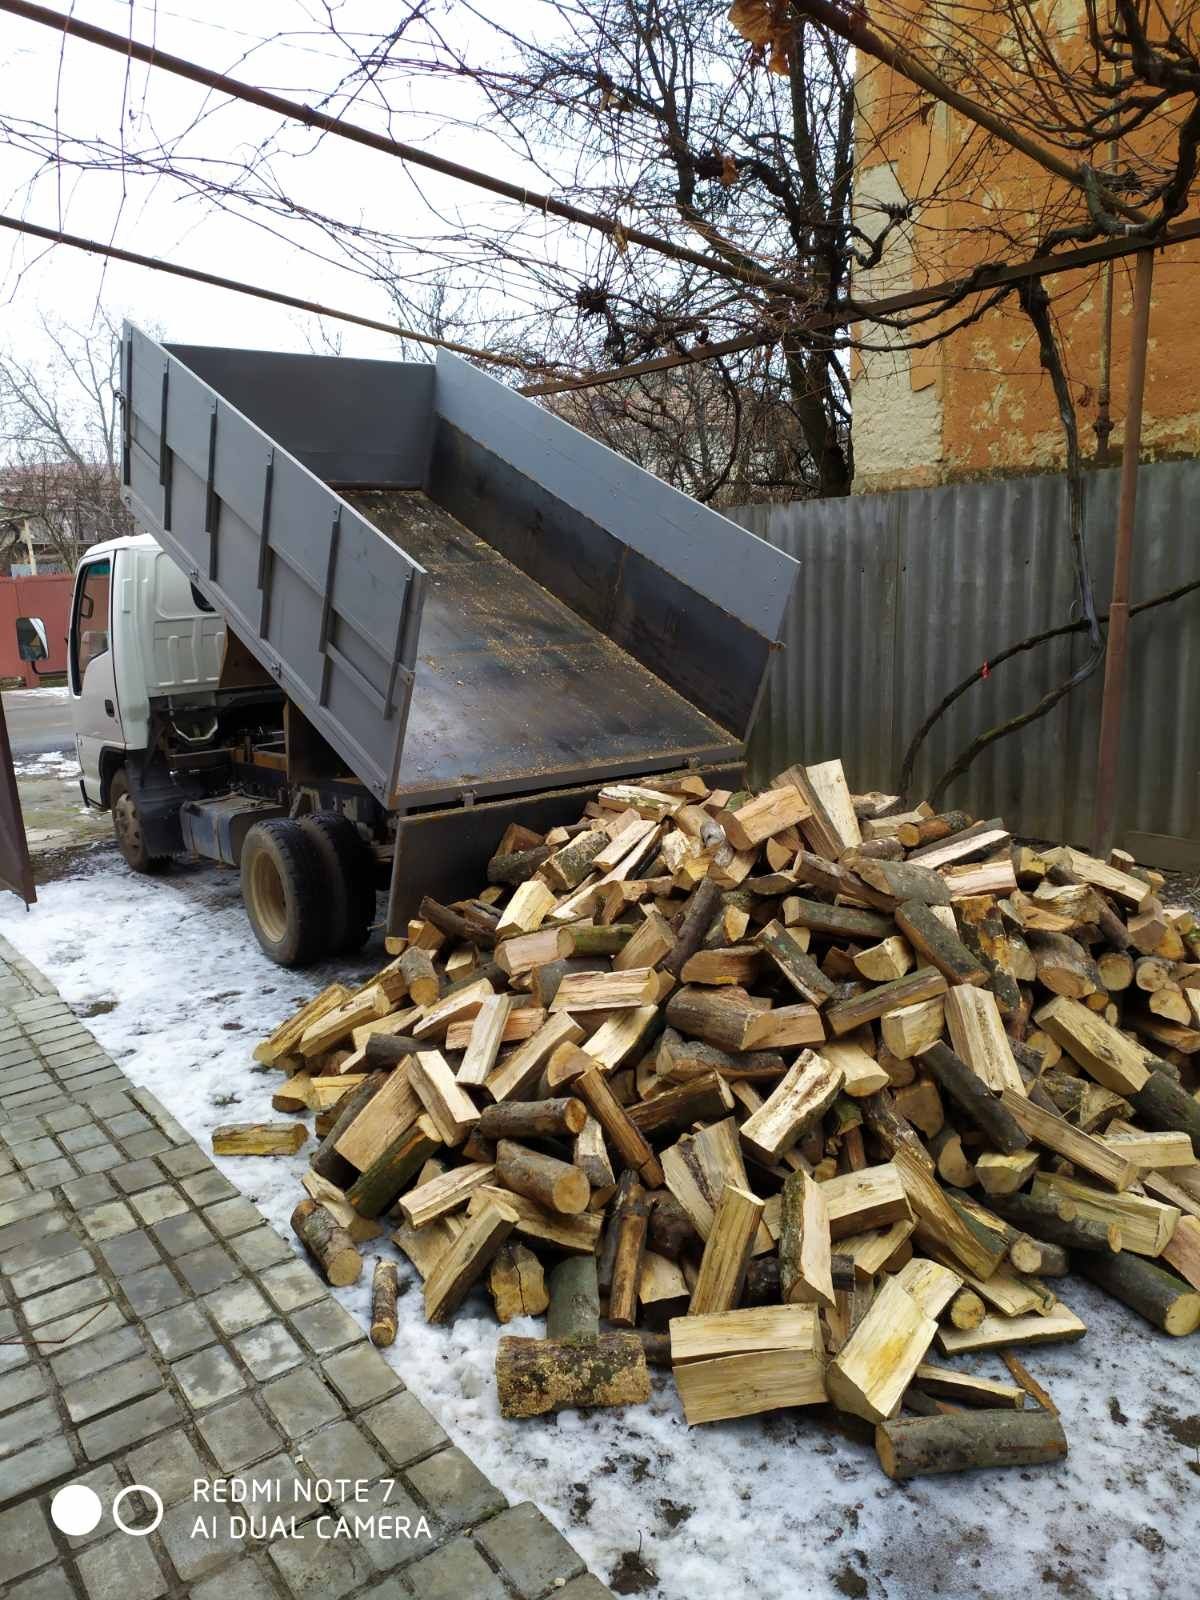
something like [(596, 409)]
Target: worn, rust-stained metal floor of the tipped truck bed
[(513, 689)]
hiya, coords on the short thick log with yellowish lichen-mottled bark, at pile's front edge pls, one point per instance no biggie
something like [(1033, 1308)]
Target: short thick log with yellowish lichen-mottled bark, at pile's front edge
[(535, 1377)]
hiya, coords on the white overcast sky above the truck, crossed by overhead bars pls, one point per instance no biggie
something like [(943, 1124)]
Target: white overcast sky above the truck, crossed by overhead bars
[(86, 92)]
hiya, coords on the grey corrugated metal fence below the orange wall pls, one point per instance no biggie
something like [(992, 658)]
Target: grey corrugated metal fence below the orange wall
[(903, 594)]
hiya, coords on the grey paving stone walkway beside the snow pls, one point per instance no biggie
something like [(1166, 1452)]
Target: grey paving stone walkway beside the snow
[(154, 1330)]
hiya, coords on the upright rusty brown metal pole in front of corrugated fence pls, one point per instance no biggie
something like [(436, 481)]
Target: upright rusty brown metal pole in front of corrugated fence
[(1119, 607)]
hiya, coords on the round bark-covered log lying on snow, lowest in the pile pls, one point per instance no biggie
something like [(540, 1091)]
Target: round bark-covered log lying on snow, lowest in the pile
[(919, 1447)]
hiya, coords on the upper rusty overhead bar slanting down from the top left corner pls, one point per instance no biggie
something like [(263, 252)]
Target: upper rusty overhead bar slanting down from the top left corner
[(295, 111)]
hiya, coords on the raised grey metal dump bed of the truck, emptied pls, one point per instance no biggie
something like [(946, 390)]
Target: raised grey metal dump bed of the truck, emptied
[(462, 593)]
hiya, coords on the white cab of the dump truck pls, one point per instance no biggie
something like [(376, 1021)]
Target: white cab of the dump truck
[(142, 638)]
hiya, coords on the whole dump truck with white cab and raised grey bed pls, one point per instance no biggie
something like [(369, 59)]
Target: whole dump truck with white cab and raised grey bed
[(378, 610)]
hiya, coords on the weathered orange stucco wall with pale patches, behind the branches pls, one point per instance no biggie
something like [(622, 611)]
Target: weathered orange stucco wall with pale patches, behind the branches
[(978, 404)]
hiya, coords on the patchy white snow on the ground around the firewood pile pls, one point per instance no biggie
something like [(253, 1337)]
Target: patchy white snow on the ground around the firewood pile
[(172, 983)]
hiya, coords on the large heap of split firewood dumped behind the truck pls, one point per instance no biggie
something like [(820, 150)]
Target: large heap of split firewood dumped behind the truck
[(788, 1089)]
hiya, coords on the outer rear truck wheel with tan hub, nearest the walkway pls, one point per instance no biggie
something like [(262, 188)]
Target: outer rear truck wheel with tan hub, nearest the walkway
[(282, 889)]
